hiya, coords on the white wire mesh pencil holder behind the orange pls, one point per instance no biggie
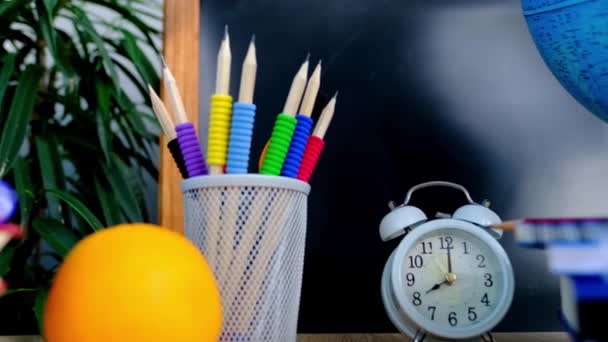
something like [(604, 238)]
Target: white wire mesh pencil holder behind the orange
[(252, 231)]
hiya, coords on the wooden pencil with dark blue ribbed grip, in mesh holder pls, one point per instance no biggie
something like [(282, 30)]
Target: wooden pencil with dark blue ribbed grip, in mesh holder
[(303, 126)]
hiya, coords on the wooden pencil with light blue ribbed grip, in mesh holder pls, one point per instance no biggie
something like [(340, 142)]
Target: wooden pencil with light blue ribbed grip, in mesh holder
[(243, 116)]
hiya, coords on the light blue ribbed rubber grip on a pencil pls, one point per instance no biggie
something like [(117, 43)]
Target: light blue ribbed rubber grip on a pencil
[(241, 132)]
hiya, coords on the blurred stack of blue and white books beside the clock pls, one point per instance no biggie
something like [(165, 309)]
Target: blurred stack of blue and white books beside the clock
[(577, 251)]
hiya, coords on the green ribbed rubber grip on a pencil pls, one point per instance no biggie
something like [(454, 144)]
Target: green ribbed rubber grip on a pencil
[(279, 144)]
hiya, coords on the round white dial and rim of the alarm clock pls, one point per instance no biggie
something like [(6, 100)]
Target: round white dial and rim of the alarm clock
[(452, 279)]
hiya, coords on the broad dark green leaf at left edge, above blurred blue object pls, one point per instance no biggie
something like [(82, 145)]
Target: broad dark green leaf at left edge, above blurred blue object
[(16, 126)]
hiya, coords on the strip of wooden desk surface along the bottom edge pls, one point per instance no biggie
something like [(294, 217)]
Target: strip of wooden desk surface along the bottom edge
[(511, 337)]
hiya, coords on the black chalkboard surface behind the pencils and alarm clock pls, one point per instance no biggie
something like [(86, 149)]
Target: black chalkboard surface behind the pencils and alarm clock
[(429, 90)]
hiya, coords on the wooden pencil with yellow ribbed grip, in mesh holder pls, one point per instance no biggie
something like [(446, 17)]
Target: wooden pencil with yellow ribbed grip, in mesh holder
[(220, 110)]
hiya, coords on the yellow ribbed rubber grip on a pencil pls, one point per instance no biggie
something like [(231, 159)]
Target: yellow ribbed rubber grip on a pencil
[(219, 129)]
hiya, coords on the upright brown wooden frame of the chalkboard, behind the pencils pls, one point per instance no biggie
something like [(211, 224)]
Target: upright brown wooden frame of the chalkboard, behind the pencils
[(181, 51)]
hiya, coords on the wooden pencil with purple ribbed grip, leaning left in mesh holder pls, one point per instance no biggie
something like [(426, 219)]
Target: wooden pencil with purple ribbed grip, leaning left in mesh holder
[(185, 131)]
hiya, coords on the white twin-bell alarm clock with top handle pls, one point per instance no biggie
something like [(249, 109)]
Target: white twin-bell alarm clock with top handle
[(449, 278)]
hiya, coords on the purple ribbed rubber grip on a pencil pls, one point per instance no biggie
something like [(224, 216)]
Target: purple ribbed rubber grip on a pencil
[(191, 150)]
